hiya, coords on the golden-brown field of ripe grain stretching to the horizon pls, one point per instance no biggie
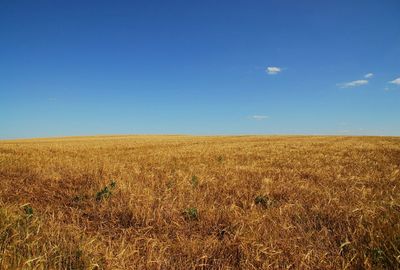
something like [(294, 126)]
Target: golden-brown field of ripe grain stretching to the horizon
[(181, 202)]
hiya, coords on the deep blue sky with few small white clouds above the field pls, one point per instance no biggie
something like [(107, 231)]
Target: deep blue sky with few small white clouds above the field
[(199, 67)]
